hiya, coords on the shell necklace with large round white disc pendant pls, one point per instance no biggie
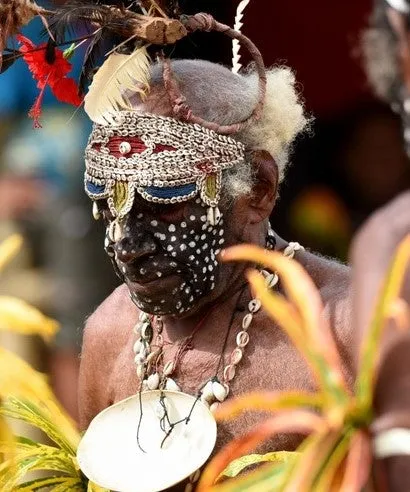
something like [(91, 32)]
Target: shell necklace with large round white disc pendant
[(161, 436)]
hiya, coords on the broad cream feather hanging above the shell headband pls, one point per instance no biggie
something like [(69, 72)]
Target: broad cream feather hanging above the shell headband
[(118, 75)]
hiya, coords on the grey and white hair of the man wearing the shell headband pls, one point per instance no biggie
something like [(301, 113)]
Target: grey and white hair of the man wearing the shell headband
[(216, 94)]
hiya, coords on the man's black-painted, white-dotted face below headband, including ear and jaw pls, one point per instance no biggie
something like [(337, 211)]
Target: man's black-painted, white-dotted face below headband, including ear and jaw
[(156, 256)]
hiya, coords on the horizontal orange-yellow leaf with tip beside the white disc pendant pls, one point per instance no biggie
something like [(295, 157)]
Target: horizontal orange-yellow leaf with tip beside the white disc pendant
[(268, 401)]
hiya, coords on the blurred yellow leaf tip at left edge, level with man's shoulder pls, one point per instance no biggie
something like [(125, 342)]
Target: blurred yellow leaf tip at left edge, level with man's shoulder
[(19, 317)]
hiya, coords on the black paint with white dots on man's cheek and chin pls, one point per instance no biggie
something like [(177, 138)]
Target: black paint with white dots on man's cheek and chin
[(183, 258)]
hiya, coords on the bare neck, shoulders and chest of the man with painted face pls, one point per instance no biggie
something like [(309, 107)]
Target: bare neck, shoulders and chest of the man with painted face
[(271, 362)]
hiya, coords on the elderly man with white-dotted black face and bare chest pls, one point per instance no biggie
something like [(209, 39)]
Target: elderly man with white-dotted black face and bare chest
[(202, 319)]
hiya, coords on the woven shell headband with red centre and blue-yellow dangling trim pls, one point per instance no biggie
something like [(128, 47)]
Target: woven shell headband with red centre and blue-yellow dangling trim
[(162, 159)]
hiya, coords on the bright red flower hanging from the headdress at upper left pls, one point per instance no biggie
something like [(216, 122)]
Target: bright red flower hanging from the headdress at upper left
[(54, 75)]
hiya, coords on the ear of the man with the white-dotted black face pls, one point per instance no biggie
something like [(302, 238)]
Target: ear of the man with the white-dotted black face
[(264, 192)]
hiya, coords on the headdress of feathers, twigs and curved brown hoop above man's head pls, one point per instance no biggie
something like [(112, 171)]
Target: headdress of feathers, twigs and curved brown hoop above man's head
[(121, 37)]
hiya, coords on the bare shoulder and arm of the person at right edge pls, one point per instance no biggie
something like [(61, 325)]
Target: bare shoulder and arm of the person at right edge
[(372, 252)]
